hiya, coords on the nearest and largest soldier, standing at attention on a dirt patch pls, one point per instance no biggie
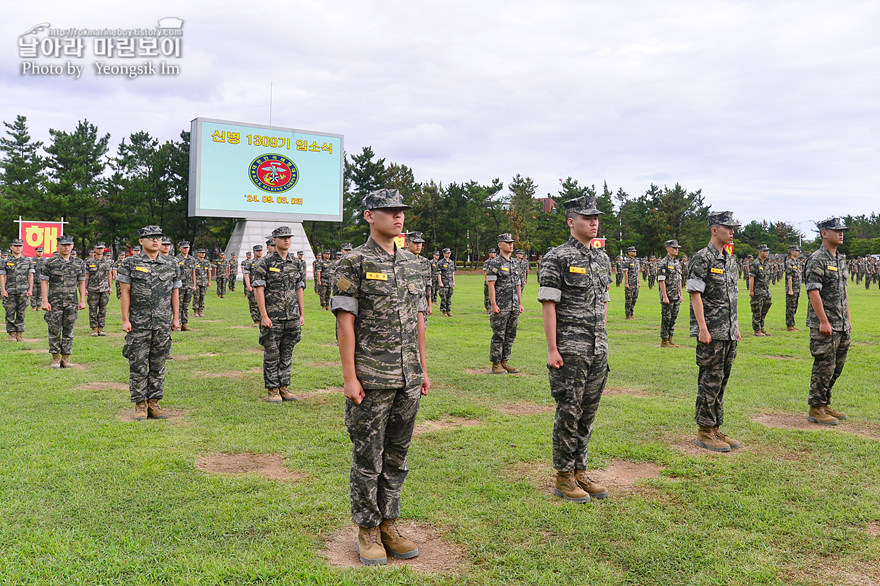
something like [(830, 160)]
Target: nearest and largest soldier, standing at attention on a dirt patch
[(379, 305)]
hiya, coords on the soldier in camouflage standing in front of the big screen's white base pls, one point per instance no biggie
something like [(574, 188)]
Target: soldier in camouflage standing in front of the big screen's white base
[(278, 282)]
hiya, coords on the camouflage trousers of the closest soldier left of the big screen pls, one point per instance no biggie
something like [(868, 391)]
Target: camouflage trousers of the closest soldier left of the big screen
[(146, 351)]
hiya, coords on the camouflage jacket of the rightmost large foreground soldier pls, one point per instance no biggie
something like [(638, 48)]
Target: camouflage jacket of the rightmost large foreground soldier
[(826, 272)]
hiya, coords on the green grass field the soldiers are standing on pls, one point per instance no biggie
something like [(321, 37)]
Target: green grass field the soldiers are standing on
[(89, 498)]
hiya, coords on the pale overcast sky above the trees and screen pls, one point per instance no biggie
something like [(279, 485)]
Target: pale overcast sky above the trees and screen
[(771, 108)]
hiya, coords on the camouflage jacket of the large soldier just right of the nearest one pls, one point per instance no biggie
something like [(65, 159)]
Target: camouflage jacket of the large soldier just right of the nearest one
[(576, 278)]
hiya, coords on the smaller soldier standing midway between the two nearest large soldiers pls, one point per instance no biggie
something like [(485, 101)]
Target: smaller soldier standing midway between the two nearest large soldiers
[(505, 300)]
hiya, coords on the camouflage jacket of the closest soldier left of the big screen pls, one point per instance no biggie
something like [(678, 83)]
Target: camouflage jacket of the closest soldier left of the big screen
[(152, 282)]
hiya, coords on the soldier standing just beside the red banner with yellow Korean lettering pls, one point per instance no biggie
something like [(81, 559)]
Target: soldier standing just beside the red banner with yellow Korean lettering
[(62, 277)]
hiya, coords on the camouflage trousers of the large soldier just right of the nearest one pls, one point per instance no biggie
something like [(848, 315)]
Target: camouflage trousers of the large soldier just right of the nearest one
[(577, 388)]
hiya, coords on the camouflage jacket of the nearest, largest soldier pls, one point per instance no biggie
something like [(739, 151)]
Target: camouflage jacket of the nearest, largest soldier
[(384, 292)]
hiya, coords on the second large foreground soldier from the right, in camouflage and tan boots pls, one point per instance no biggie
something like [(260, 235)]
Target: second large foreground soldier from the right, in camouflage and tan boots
[(711, 283)]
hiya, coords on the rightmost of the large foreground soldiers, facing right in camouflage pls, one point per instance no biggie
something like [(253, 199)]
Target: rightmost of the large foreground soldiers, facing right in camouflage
[(828, 319)]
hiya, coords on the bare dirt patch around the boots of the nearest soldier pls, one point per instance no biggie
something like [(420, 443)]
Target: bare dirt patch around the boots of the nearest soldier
[(436, 555)]
